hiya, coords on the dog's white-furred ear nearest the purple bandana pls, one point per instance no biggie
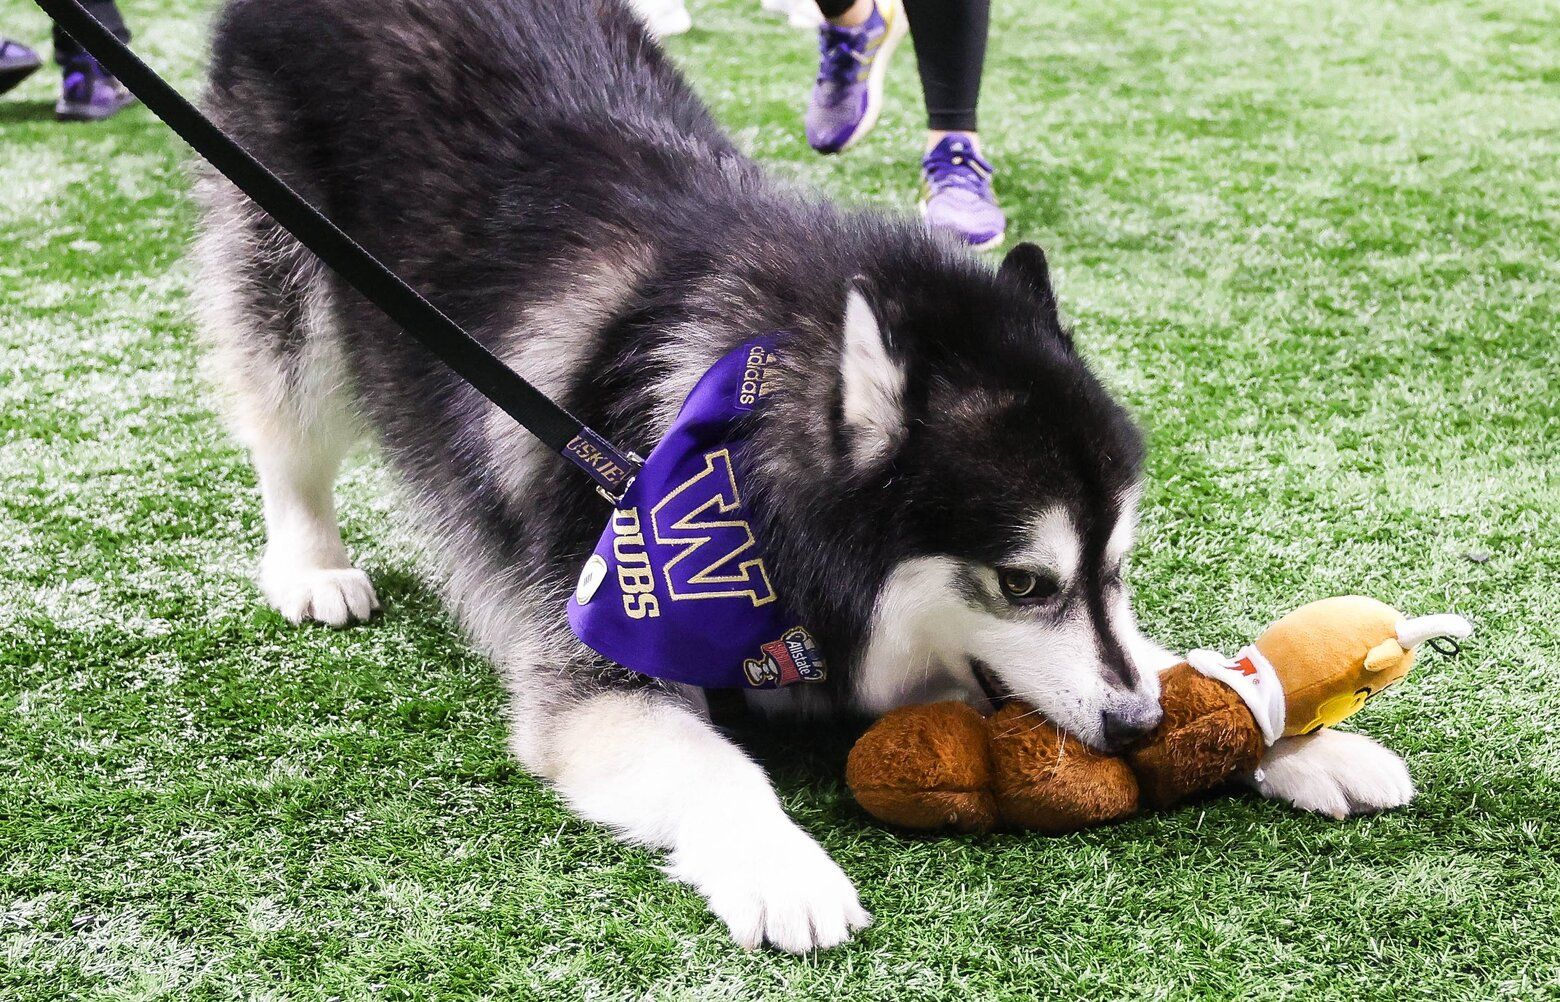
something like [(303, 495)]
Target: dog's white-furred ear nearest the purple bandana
[(871, 380)]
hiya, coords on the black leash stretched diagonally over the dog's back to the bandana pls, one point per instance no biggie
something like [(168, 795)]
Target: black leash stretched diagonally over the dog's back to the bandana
[(611, 467)]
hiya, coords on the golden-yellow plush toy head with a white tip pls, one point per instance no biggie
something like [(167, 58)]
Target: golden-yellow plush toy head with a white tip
[(1335, 655)]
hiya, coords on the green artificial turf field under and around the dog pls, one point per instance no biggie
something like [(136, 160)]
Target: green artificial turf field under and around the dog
[(1314, 246)]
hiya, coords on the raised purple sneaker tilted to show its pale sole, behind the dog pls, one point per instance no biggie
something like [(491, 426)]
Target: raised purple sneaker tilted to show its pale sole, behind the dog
[(853, 65)]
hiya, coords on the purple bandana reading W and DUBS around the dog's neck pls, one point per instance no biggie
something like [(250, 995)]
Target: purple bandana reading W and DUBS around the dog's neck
[(678, 588)]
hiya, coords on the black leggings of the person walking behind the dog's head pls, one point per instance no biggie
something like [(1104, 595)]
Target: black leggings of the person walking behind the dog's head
[(951, 52)]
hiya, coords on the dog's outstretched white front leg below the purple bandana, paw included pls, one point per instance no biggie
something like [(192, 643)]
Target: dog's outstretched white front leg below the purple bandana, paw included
[(650, 767)]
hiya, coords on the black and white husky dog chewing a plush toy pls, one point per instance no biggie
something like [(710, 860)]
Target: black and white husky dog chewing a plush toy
[(949, 494)]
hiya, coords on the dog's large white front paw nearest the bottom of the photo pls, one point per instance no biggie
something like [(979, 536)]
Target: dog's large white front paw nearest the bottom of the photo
[(778, 887)]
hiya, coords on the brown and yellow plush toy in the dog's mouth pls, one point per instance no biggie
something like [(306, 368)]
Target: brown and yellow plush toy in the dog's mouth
[(946, 767)]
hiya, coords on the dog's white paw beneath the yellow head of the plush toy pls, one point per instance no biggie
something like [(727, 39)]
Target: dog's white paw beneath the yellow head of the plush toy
[(1335, 773)]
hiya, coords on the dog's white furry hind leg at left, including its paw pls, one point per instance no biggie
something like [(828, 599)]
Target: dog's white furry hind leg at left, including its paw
[(268, 319)]
